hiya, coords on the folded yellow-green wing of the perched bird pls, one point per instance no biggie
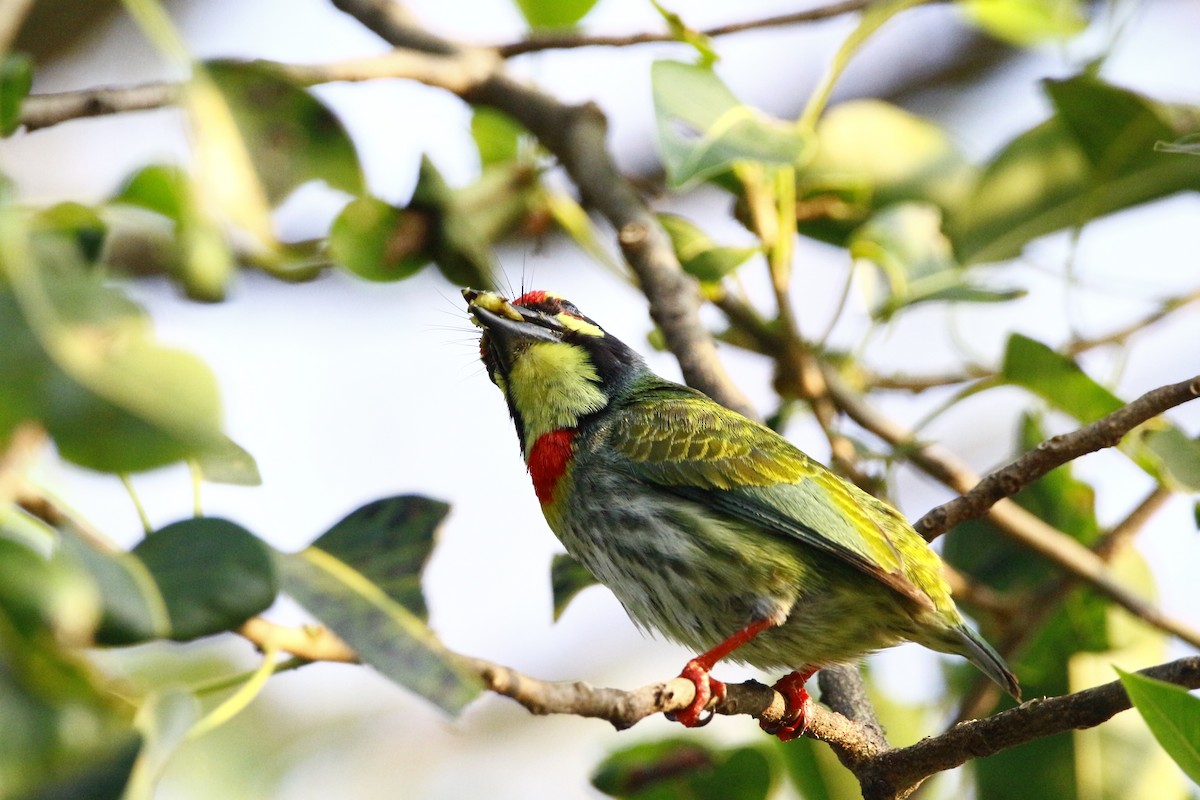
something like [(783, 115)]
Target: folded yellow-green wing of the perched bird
[(698, 449)]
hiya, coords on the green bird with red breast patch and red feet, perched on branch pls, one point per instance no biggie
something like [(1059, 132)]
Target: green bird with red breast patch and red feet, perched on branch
[(709, 527)]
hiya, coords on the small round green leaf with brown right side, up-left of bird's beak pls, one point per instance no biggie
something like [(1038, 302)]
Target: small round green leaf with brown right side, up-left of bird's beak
[(379, 242)]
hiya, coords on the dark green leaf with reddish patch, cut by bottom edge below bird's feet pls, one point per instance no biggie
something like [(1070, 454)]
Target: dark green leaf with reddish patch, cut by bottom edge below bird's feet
[(682, 768)]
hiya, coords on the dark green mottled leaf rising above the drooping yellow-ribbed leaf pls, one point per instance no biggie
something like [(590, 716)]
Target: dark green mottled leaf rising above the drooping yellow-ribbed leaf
[(389, 543)]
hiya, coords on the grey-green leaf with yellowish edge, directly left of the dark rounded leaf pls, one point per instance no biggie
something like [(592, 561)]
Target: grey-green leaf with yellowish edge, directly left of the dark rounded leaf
[(134, 610)]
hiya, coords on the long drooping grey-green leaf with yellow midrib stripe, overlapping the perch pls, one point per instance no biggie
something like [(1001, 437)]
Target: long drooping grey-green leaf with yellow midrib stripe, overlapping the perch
[(383, 633)]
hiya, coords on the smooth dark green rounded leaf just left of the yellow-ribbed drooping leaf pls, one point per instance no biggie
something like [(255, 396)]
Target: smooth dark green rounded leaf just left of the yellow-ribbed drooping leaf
[(213, 574)]
